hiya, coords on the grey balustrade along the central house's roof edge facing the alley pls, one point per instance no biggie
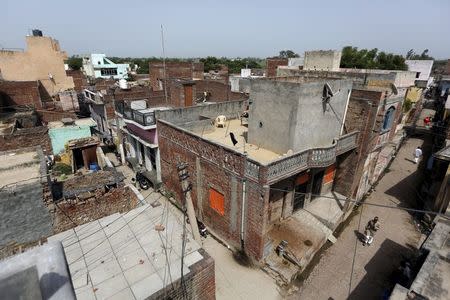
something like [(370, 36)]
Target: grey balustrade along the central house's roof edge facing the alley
[(311, 158)]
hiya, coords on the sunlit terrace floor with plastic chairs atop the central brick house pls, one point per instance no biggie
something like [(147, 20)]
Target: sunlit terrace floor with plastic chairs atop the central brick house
[(222, 136)]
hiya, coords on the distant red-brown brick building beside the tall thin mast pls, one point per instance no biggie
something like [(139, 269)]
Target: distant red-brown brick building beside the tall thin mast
[(182, 70)]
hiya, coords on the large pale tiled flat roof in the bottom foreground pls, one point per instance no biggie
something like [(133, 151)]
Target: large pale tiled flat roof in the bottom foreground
[(124, 256)]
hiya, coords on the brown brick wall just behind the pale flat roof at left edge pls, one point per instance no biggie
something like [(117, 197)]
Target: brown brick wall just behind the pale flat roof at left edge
[(28, 137)]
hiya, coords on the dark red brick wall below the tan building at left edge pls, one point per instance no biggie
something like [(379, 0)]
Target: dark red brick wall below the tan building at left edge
[(20, 93)]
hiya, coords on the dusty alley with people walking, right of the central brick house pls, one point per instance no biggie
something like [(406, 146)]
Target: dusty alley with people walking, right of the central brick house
[(372, 266)]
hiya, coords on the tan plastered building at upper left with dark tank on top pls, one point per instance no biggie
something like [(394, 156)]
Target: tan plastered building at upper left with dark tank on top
[(42, 61)]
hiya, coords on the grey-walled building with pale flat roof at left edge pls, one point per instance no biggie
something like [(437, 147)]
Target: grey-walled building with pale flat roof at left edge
[(25, 218)]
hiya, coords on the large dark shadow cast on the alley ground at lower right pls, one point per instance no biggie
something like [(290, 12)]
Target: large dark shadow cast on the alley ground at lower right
[(379, 279)]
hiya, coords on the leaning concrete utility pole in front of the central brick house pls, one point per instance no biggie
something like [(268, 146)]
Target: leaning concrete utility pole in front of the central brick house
[(188, 206)]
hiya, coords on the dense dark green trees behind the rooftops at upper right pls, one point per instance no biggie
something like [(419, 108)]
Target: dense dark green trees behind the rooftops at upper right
[(352, 57)]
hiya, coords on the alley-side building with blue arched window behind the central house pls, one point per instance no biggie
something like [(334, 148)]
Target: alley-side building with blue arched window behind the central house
[(375, 109)]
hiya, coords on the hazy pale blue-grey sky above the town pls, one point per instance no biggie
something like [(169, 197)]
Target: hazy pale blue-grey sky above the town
[(228, 27)]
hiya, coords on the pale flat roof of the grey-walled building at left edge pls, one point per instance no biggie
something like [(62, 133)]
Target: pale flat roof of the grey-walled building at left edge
[(19, 166)]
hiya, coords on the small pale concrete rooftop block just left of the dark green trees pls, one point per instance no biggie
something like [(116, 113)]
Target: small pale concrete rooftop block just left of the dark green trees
[(329, 60)]
